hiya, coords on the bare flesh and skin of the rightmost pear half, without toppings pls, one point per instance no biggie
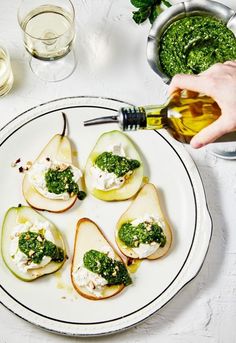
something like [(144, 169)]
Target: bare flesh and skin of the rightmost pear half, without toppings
[(146, 202)]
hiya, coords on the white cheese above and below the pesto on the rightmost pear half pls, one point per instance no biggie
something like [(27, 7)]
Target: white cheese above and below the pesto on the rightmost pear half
[(145, 250)]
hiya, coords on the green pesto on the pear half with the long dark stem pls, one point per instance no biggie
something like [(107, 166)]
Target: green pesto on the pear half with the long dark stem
[(60, 181)]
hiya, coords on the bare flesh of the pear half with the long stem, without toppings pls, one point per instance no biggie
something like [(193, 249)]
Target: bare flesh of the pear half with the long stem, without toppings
[(59, 149)]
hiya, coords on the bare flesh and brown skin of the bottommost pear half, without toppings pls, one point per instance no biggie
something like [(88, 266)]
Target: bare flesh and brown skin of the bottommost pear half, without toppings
[(88, 236)]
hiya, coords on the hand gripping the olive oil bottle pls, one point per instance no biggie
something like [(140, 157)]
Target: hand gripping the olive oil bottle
[(219, 82)]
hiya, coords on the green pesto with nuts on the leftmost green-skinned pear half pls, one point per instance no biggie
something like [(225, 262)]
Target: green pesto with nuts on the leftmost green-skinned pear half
[(35, 247)]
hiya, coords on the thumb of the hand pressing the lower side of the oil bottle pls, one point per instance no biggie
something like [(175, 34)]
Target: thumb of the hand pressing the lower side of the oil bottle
[(210, 133)]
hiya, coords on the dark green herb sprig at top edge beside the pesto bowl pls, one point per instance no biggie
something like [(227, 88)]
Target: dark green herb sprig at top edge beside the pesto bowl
[(147, 9)]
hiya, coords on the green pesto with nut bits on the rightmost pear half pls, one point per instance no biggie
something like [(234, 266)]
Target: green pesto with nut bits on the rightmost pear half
[(145, 233)]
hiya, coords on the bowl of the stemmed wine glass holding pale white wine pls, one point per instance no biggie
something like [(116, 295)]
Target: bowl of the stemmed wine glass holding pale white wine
[(49, 32)]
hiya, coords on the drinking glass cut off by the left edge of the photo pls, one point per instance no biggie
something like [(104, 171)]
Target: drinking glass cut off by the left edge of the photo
[(6, 76)]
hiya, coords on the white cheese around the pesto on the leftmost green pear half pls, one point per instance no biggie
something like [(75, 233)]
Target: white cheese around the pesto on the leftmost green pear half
[(20, 259)]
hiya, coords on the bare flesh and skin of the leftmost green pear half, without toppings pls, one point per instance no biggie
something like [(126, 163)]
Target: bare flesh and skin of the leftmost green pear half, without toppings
[(20, 215)]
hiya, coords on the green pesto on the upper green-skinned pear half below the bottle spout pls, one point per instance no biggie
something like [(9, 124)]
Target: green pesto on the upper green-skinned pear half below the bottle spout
[(116, 164)]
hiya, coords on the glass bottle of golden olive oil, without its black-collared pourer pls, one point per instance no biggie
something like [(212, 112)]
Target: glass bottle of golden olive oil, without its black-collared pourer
[(184, 115)]
